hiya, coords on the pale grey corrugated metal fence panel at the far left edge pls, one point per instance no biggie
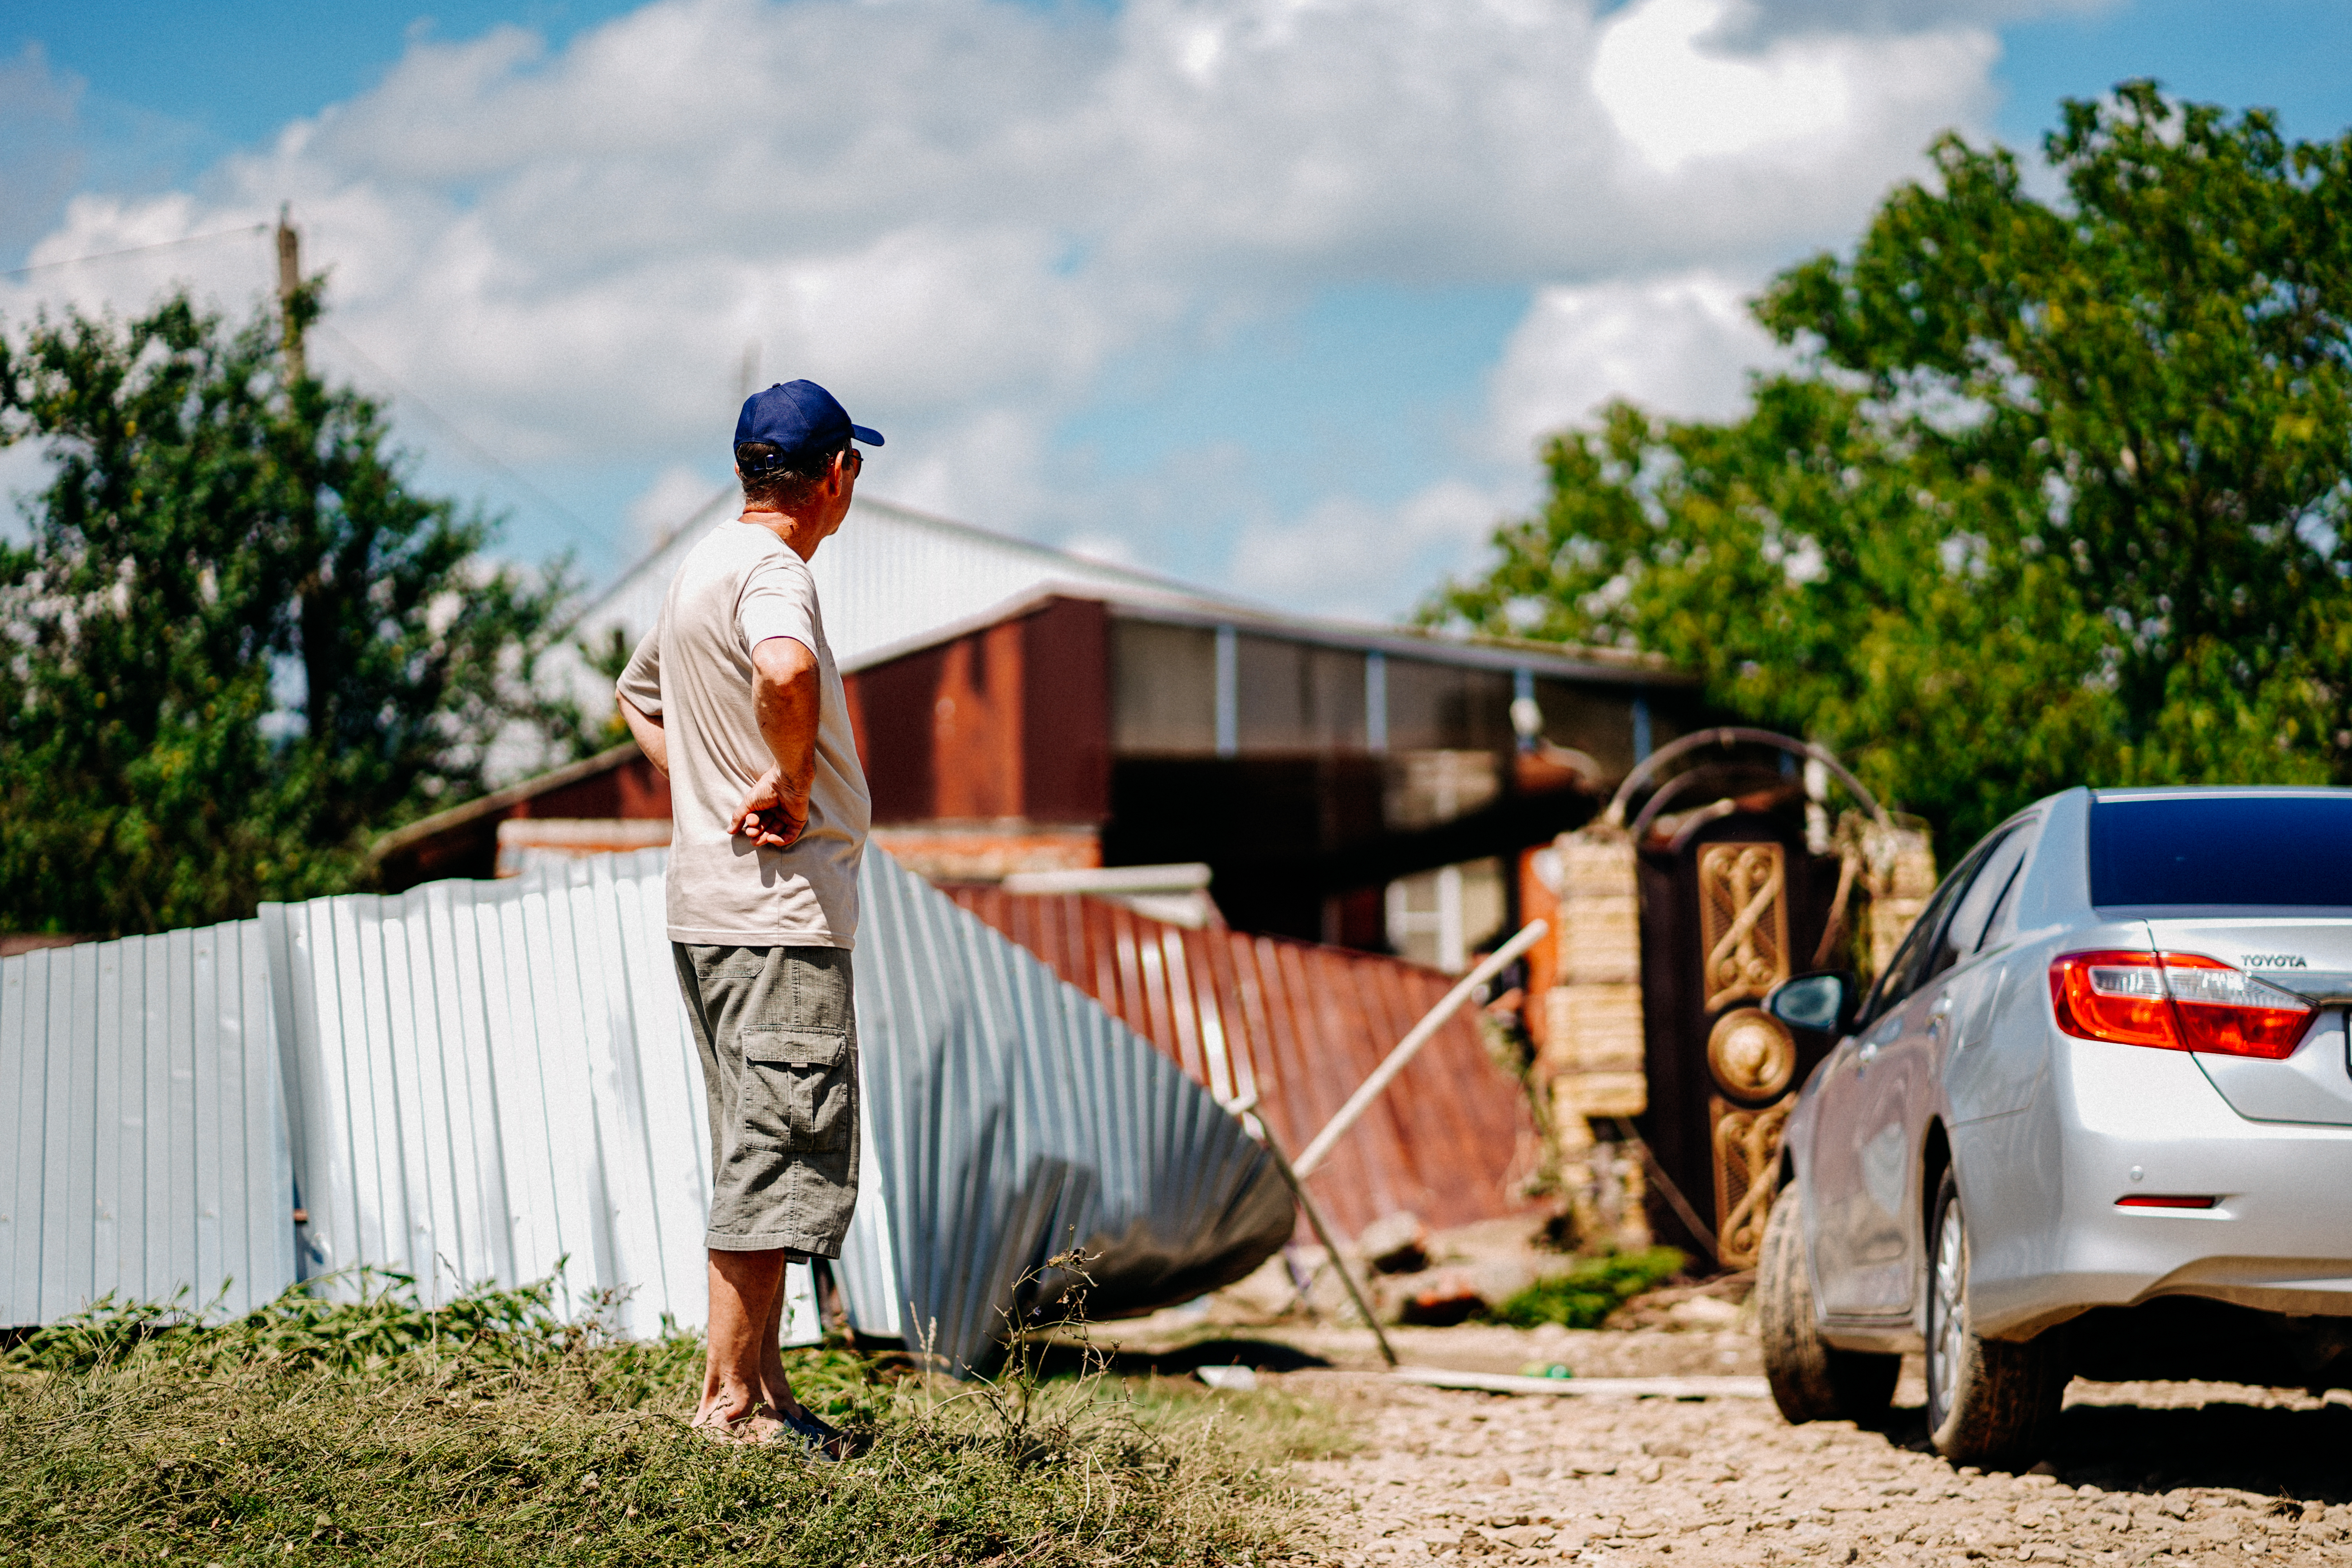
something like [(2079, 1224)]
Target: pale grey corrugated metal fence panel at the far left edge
[(142, 1130)]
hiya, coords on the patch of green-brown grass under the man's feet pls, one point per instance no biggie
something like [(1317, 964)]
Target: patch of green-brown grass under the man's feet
[(493, 1433)]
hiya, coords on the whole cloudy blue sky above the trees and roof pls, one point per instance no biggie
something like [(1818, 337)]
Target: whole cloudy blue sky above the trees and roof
[(1271, 295)]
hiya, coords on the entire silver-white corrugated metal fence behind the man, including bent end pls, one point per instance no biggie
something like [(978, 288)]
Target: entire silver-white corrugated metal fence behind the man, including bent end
[(488, 1080)]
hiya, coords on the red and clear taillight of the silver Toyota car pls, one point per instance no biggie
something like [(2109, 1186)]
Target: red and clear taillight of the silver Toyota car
[(2177, 1003)]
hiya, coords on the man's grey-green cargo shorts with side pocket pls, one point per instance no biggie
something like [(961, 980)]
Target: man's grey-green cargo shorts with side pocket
[(780, 1040)]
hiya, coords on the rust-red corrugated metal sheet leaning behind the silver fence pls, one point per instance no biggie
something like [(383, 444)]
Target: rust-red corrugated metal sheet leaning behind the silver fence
[(1302, 1026)]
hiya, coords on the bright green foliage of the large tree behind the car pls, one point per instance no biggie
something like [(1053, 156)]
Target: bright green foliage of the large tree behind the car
[(2054, 497)]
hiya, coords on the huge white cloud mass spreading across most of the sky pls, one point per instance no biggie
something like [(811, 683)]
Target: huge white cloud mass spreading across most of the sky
[(961, 213)]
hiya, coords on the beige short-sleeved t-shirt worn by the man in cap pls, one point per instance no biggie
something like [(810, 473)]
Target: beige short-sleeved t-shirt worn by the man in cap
[(735, 591)]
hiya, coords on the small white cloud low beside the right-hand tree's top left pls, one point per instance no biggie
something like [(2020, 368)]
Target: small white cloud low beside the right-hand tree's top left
[(1676, 344)]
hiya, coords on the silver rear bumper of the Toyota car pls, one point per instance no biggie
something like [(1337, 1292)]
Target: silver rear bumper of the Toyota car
[(2050, 1240)]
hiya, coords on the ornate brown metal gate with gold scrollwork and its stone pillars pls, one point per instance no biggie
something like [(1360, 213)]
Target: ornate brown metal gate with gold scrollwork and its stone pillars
[(1737, 890)]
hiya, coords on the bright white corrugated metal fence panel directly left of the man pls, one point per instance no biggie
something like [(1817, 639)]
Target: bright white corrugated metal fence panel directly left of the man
[(493, 1083)]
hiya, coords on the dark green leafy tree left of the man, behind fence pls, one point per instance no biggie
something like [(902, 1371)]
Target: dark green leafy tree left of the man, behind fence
[(236, 643)]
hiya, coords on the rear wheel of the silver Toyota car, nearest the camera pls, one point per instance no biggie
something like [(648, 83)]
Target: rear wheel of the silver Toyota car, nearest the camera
[(1989, 1402)]
